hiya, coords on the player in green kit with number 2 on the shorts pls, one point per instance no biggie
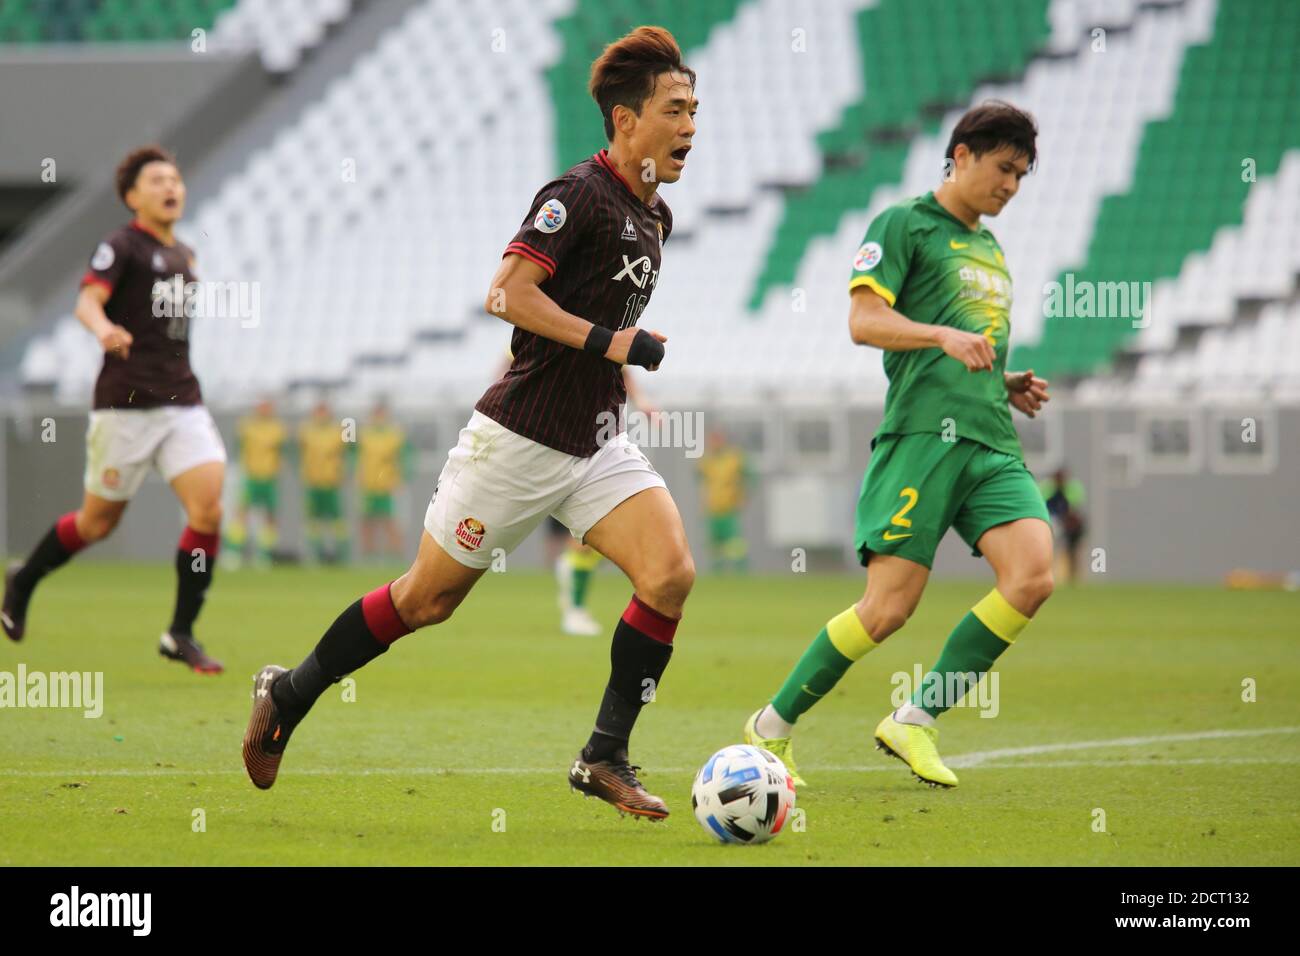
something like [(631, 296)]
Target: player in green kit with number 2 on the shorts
[(930, 287)]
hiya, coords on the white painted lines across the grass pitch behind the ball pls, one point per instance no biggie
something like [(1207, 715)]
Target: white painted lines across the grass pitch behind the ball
[(968, 760)]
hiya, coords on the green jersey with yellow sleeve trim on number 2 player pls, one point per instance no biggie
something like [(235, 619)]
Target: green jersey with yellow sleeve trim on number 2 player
[(935, 270)]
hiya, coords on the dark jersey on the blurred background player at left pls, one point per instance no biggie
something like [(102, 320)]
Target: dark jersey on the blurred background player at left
[(141, 274)]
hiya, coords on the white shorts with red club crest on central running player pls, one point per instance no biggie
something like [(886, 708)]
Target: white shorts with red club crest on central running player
[(499, 486)]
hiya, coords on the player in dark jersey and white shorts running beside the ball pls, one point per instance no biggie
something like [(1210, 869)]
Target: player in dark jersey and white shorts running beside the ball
[(547, 438)]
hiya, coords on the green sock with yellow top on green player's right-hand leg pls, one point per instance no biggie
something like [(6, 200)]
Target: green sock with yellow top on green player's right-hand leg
[(978, 641)]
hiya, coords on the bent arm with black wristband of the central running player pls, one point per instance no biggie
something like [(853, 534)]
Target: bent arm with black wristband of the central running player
[(517, 297)]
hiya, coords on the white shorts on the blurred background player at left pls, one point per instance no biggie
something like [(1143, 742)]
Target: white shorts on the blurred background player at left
[(123, 445)]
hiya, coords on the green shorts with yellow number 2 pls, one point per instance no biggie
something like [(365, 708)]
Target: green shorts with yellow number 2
[(917, 487)]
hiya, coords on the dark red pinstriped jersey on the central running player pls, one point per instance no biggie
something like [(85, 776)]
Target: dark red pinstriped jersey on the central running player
[(600, 246)]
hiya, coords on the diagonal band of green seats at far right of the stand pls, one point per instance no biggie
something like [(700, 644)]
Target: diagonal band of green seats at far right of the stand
[(1238, 103)]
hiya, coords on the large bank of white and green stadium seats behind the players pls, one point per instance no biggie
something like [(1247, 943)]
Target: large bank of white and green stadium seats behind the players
[(374, 224)]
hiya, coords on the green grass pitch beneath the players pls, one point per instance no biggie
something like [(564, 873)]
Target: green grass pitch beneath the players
[(1125, 702)]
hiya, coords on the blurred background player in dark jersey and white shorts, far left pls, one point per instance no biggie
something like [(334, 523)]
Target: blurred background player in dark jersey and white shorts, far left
[(148, 410)]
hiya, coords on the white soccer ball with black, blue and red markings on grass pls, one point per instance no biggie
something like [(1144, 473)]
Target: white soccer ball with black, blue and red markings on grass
[(743, 795)]
